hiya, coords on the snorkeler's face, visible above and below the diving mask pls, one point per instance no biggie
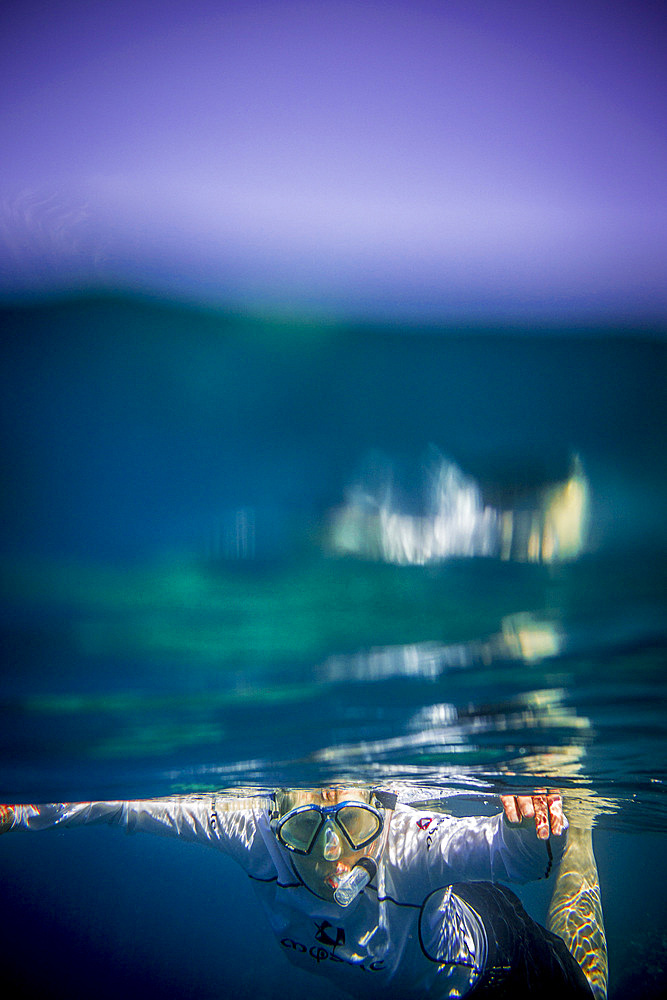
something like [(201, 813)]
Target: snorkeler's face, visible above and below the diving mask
[(331, 855)]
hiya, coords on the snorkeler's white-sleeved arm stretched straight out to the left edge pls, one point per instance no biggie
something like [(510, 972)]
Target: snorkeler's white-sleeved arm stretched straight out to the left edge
[(201, 819)]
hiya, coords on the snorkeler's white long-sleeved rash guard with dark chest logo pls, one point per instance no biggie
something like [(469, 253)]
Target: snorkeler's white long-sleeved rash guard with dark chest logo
[(406, 932)]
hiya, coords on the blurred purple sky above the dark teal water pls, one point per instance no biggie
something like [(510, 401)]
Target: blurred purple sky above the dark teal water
[(411, 159)]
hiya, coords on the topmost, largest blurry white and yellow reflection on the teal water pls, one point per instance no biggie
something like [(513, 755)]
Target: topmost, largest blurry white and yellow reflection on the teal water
[(459, 524)]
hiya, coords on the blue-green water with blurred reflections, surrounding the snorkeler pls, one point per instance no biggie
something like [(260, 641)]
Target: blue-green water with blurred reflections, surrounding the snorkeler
[(243, 553)]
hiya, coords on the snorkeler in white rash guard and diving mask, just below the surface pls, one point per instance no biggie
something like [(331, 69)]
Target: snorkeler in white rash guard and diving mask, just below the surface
[(377, 895)]
